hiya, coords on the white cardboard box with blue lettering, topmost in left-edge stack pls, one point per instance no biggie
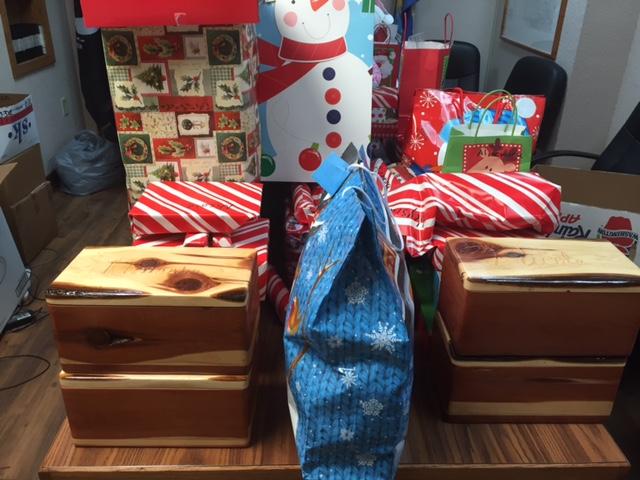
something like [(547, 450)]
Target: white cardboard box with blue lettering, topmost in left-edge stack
[(18, 130)]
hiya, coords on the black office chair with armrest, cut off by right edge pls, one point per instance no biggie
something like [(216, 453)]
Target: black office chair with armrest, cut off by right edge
[(622, 155)]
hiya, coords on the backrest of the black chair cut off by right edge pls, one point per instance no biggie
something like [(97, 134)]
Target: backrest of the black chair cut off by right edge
[(622, 155)]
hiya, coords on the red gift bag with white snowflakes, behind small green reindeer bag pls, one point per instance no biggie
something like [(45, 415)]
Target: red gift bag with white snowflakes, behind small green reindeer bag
[(436, 112)]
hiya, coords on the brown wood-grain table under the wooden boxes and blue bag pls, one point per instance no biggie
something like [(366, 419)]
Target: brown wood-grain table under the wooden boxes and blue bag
[(435, 450)]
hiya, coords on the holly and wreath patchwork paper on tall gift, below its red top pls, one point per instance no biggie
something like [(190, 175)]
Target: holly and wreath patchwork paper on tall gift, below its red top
[(185, 103)]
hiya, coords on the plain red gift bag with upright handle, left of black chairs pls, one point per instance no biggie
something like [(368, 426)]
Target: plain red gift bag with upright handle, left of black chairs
[(424, 65)]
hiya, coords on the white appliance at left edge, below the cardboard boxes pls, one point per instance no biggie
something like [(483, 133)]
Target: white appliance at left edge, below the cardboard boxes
[(14, 279)]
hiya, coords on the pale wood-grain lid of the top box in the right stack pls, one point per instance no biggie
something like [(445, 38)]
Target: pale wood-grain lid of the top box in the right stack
[(504, 264)]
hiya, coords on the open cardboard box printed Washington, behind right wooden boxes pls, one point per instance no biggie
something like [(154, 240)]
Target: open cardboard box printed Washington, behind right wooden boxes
[(598, 204)]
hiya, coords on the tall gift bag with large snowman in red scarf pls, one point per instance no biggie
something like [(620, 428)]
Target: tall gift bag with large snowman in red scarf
[(314, 86)]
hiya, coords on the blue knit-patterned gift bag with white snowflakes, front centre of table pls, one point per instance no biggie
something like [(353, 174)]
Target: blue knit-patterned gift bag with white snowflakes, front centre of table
[(349, 338)]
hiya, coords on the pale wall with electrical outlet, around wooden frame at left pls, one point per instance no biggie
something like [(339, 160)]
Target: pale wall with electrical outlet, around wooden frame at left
[(48, 85)]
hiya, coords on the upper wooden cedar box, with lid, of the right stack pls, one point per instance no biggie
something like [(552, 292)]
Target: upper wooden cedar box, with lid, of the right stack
[(539, 298)]
